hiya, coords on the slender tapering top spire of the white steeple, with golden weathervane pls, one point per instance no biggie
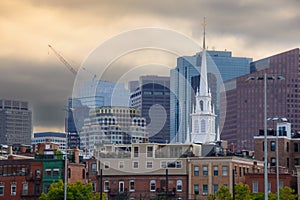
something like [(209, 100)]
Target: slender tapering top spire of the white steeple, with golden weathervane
[(203, 76)]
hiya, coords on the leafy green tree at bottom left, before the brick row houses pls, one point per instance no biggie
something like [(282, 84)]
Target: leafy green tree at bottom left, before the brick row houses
[(75, 191)]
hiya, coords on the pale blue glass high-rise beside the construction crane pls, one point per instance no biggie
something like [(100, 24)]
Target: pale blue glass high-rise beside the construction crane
[(91, 94)]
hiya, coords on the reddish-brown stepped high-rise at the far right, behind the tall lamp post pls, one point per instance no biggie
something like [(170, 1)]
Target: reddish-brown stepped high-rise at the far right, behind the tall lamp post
[(244, 114)]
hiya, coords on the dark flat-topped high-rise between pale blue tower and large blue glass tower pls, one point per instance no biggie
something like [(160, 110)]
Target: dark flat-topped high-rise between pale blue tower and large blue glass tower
[(151, 95)]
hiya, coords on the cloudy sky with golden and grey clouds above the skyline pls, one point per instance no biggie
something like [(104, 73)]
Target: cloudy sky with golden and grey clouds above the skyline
[(31, 72)]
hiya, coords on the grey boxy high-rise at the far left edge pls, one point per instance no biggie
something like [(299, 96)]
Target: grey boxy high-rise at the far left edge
[(15, 122)]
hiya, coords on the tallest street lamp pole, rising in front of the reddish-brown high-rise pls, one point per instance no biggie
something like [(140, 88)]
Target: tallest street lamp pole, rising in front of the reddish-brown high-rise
[(265, 78)]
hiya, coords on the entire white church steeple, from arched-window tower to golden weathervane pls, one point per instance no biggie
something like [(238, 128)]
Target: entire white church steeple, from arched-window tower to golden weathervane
[(203, 116)]
